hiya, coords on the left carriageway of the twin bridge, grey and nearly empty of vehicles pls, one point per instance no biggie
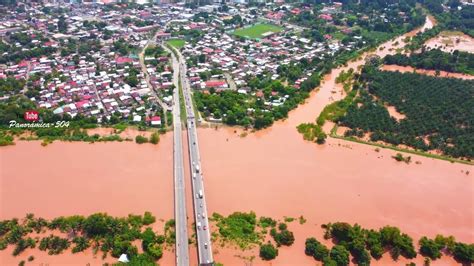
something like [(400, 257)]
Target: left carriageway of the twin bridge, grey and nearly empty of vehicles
[(182, 249)]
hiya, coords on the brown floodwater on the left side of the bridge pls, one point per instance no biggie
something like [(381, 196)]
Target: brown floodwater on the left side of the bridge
[(80, 178)]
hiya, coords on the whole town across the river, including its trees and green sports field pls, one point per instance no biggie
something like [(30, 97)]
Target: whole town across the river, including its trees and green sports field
[(105, 61)]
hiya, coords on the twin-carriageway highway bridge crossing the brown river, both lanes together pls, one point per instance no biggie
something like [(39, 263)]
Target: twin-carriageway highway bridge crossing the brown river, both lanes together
[(203, 236)]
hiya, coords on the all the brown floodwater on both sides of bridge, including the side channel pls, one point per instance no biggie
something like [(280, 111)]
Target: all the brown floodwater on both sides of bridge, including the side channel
[(273, 172)]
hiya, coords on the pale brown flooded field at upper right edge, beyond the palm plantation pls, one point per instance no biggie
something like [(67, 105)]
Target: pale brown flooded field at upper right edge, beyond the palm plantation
[(450, 41)]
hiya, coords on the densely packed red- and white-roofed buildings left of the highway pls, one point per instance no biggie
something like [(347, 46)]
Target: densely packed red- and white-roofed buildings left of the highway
[(93, 67)]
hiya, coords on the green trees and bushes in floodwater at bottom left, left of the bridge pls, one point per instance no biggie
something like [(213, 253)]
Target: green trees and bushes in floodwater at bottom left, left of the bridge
[(104, 233)]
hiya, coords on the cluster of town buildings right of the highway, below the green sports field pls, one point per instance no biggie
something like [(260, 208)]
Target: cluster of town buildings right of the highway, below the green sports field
[(243, 58)]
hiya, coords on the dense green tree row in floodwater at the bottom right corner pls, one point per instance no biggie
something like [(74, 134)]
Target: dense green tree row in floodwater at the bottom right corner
[(364, 244)]
